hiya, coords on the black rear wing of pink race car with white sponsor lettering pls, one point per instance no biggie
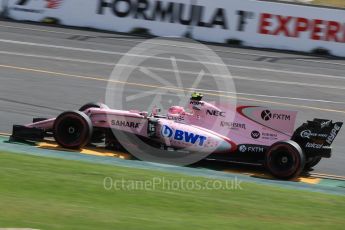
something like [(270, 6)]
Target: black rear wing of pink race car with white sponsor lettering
[(315, 137)]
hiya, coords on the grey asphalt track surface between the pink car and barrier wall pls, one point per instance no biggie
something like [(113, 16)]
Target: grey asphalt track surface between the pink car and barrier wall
[(46, 70)]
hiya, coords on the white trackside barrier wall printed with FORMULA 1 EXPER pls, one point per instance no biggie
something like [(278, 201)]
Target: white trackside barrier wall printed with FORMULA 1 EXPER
[(255, 23)]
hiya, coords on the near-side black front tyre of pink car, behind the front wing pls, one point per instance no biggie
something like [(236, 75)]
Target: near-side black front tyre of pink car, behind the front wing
[(72, 129)]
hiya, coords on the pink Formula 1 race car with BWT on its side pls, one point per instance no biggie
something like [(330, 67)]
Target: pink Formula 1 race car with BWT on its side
[(255, 134)]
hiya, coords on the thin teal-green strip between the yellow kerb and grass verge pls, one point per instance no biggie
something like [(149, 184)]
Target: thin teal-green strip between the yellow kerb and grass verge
[(328, 187)]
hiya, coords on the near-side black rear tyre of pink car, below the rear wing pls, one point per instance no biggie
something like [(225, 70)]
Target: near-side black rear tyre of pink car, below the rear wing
[(285, 160)]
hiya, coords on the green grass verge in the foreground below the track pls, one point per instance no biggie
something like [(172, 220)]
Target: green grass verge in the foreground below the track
[(47, 193)]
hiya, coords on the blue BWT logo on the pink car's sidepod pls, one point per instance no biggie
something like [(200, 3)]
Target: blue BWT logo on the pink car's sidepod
[(180, 135)]
